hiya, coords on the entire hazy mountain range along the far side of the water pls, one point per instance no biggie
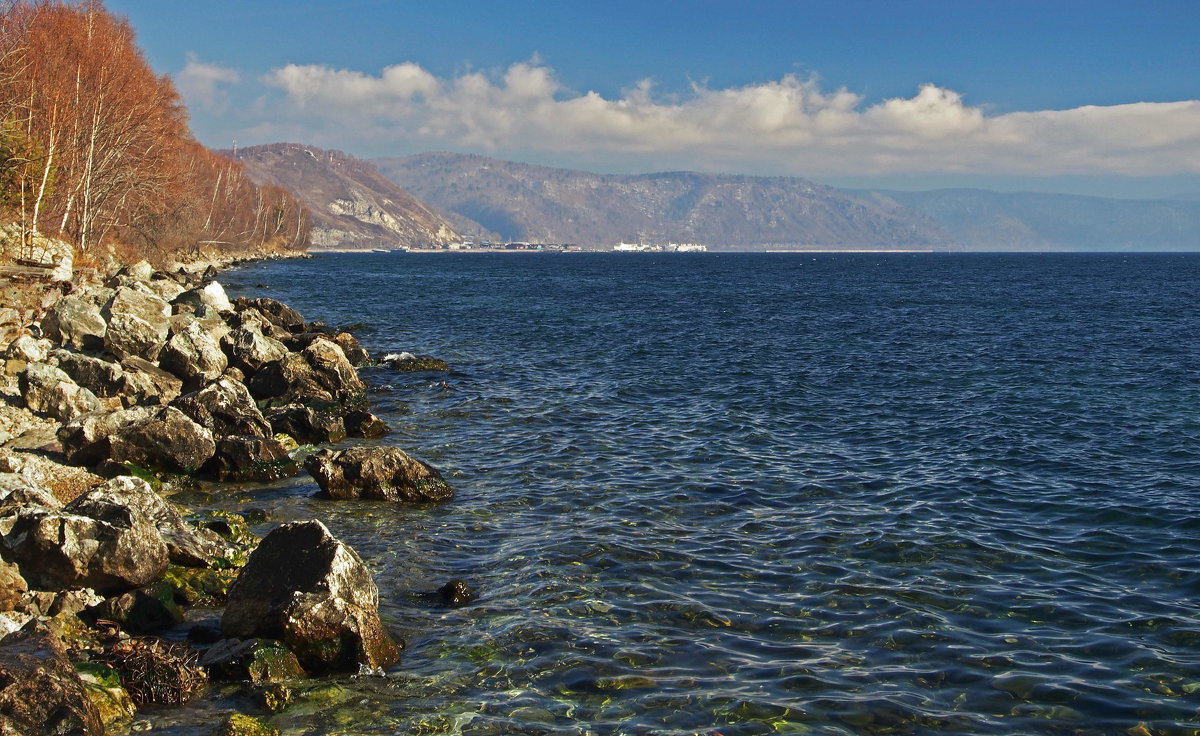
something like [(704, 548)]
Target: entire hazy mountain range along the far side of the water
[(434, 200)]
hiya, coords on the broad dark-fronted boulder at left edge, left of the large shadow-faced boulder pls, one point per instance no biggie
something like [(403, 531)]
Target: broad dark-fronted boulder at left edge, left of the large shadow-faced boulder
[(59, 550)]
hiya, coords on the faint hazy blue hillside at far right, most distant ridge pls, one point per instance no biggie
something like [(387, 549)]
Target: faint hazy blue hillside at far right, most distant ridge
[(1030, 222)]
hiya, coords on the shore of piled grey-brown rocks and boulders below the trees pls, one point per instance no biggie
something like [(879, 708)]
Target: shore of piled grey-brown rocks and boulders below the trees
[(130, 385)]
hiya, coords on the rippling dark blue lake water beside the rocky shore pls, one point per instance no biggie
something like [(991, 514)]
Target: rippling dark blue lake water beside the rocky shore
[(776, 494)]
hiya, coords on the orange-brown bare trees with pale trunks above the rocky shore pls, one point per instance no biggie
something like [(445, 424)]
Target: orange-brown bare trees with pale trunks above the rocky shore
[(95, 147)]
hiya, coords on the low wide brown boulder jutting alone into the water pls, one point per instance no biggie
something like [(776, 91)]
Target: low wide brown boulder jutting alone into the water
[(382, 474)]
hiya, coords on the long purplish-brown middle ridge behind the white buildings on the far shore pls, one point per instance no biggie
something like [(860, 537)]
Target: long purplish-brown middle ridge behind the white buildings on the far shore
[(535, 204)]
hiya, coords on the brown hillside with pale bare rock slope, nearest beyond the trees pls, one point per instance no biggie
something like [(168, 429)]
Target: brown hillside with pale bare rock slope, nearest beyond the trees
[(352, 206)]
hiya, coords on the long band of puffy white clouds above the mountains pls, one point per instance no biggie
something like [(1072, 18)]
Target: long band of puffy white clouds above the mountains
[(790, 127)]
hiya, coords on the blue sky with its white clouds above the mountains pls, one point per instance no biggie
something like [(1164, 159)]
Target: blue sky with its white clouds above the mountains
[(1096, 98)]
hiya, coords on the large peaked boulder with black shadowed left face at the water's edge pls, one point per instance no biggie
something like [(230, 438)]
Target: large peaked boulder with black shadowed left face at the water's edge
[(313, 593)]
